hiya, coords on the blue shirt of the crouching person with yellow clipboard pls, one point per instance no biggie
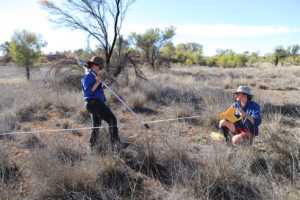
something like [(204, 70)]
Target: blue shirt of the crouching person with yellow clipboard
[(251, 108)]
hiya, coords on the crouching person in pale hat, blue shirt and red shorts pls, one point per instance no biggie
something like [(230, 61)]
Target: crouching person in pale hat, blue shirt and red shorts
[(246, 129)]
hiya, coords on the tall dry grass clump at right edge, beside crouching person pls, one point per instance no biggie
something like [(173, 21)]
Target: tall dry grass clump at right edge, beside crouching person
[(283, 149)]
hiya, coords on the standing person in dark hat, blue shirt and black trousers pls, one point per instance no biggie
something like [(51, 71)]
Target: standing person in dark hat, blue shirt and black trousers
[(94, 96)]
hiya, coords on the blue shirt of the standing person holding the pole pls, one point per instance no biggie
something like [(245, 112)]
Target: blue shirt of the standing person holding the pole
[(87, 82)]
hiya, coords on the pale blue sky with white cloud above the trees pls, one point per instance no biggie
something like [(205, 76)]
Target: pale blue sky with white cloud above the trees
[(253, 26)]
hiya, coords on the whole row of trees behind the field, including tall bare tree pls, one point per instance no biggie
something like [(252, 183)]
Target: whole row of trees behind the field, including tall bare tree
[(154, 47)]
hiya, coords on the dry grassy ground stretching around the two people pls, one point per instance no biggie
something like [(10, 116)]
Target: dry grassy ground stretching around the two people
[(169, 161)]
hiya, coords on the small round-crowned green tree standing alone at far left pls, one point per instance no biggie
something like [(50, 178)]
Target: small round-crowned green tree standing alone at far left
[(25, 49)]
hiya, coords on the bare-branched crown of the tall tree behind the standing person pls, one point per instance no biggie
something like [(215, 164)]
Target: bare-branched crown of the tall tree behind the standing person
[(101, 20)]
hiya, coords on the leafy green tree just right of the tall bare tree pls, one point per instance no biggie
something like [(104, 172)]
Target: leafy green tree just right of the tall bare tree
[(151, 42)]
